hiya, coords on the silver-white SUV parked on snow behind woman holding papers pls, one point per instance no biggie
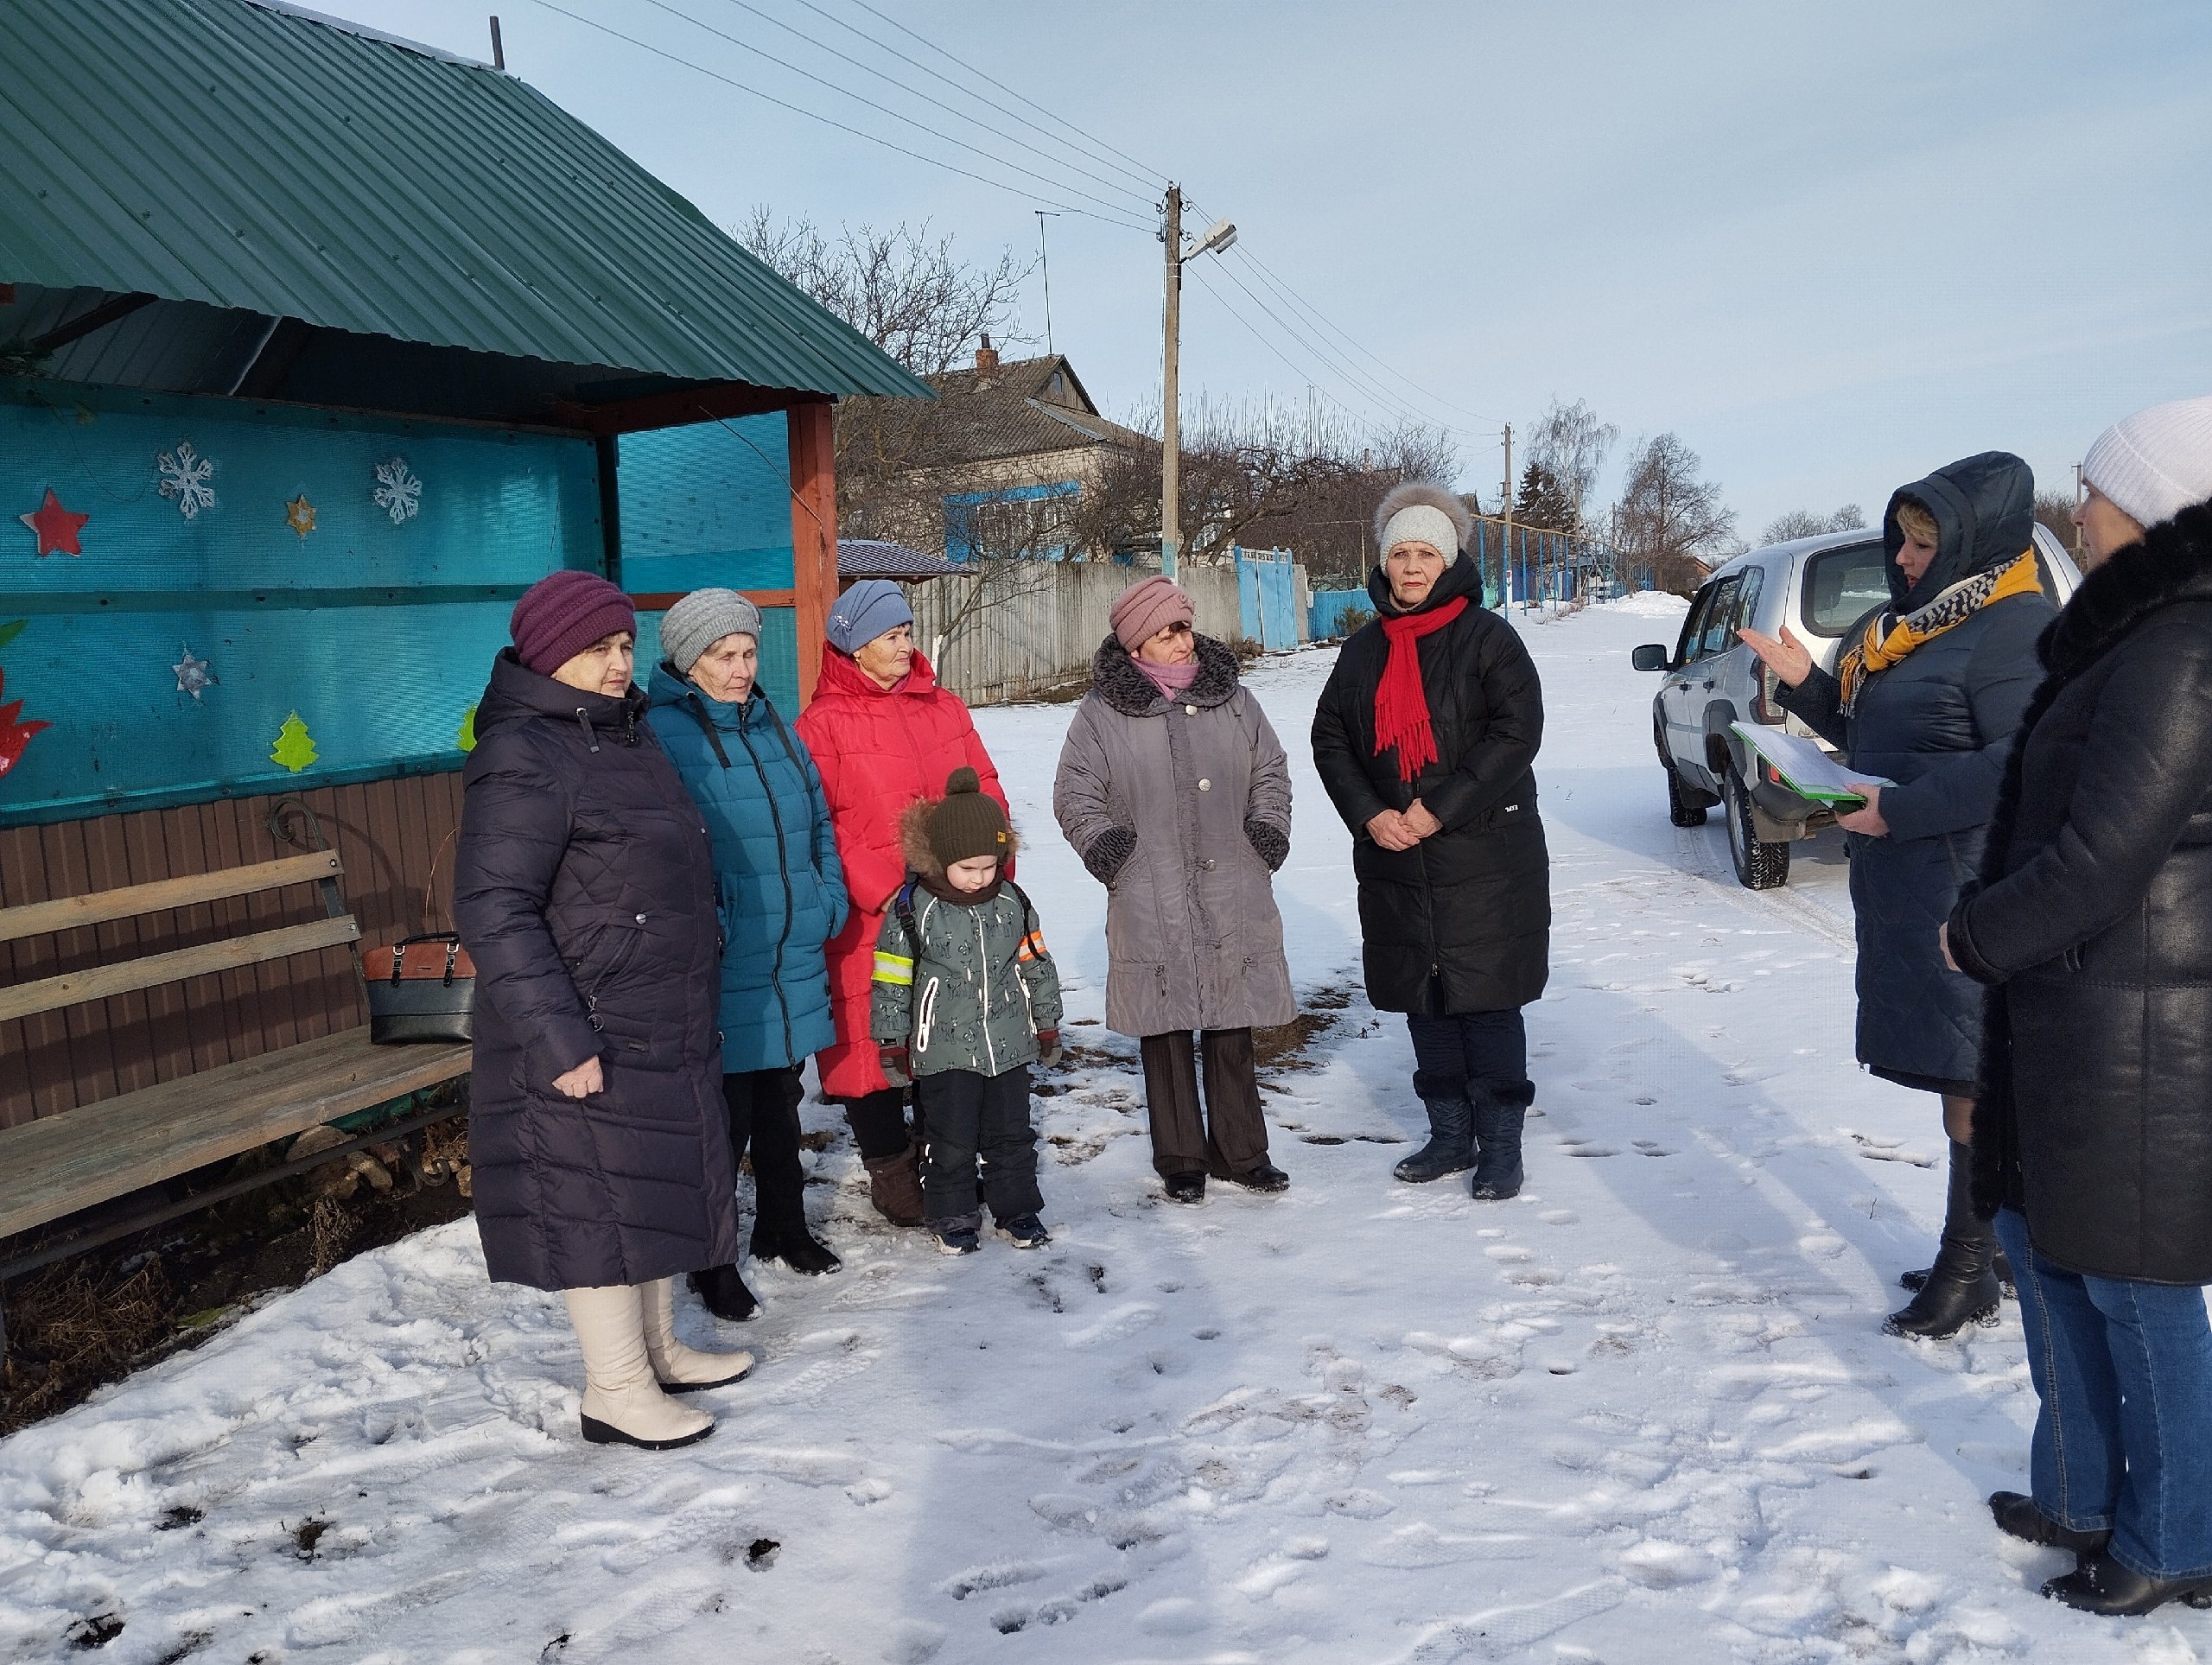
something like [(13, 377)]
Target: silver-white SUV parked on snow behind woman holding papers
[(1819, 587)]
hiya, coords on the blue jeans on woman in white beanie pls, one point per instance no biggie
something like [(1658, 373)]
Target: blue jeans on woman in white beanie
[(2125, 1421)]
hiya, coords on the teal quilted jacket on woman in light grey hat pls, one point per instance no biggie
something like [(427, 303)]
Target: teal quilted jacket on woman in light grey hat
[(775, 863)]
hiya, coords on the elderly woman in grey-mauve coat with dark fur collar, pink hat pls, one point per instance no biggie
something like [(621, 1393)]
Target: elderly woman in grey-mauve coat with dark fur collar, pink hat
[(1178, 797)]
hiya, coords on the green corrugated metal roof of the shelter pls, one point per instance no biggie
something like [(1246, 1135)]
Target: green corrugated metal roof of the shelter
[(271, 160)]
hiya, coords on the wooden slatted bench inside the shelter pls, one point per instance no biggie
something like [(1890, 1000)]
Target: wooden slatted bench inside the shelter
[(98, 1153)]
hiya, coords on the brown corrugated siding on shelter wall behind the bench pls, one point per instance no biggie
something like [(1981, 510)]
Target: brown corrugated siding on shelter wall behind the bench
[(386, 832)]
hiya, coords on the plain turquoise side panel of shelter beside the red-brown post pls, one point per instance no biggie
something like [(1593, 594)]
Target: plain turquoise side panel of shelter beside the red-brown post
[(711, 505)]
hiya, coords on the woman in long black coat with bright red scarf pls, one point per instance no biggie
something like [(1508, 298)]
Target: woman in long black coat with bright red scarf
[(1426, 740)]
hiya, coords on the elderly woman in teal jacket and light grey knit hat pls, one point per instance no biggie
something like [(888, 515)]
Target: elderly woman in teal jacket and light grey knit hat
[(782, 901)]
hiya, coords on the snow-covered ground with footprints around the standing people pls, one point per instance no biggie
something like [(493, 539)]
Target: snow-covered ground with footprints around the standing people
[(1638, 1414)]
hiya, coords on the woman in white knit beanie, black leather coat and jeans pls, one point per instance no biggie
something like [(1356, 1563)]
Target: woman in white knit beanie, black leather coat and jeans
[(2094, 1127)]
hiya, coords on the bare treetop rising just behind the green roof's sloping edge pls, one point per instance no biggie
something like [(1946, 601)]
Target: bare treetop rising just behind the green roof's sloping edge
[(901, 289)]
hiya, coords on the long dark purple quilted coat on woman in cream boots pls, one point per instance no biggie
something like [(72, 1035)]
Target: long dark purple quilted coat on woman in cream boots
[(585, 892)]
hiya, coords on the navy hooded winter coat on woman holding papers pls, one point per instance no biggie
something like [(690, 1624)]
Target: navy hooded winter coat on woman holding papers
[(1939, 724)]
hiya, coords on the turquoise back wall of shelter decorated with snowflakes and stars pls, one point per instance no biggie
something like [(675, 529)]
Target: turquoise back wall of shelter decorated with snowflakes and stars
[(379, 633)]
